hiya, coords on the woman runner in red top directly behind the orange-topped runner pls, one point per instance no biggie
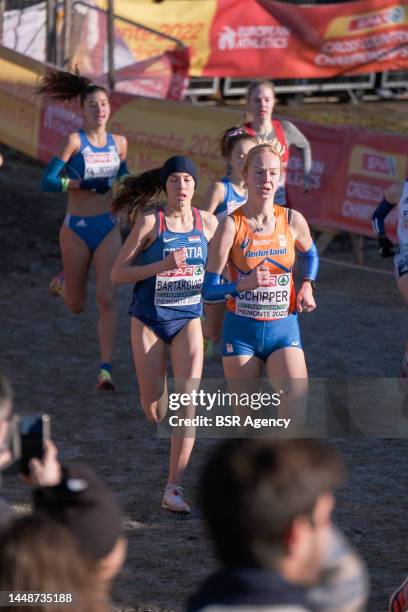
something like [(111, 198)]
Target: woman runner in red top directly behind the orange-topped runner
[(261, 100)]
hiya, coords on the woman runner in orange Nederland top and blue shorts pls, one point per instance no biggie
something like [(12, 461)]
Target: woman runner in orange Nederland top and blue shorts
[(258, 242)]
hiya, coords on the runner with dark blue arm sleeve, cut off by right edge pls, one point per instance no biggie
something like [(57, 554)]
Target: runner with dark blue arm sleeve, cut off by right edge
[(396, 195)]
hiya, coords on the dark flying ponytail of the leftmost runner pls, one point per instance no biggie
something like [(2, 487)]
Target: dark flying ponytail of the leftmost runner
[(62, 85)]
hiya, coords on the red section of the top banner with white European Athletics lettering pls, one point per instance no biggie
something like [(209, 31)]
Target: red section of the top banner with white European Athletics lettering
[(264, 38)]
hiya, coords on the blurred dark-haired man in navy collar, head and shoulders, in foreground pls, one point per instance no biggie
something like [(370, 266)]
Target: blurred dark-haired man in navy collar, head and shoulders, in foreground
[(268, 507)]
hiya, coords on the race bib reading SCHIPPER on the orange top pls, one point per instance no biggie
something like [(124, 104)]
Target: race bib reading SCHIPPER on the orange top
[(271, 302)]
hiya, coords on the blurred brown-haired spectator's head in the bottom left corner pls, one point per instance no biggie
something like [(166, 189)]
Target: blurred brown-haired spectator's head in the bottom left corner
[(37, 554)]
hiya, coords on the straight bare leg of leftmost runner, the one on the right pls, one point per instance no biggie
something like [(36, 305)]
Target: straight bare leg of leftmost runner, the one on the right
[(104, 258)]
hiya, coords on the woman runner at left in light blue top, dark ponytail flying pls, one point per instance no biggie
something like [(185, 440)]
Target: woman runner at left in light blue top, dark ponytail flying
[(91, 159)]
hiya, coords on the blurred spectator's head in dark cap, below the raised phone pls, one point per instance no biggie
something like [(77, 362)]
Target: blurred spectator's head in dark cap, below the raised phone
[(87, 507)]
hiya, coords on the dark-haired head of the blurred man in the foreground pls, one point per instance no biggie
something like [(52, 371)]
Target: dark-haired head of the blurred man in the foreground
[(268, 504)]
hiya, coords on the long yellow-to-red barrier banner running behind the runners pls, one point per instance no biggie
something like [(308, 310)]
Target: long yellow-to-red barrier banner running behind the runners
[(351, 167)]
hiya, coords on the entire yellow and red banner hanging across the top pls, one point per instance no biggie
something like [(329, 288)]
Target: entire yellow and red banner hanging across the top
[(265, 38)]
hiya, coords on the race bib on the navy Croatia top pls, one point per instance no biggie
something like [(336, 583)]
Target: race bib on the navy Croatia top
[(180, 287)]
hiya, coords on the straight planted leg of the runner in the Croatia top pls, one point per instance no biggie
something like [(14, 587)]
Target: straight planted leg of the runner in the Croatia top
[(187, 360)]
